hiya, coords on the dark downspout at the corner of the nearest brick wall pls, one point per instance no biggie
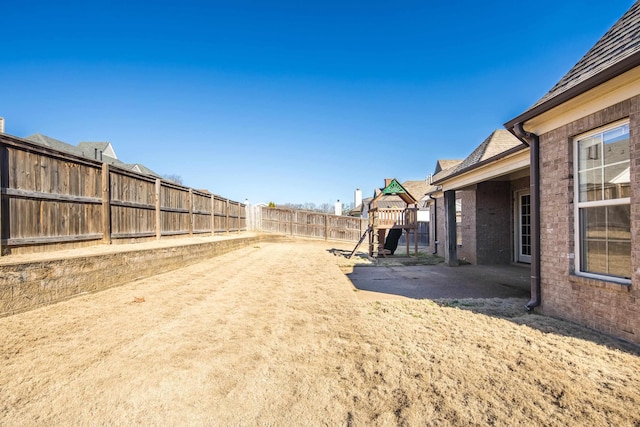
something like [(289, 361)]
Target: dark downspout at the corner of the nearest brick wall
[(533, 141)]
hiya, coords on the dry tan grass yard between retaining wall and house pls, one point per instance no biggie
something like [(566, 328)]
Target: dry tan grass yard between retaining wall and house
[(276, 335)]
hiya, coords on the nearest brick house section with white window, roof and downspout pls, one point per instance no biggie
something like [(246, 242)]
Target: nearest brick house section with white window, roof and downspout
[(584, 143)]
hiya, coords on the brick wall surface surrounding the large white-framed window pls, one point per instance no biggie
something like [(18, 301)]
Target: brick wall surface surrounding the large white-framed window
[(602, 305)]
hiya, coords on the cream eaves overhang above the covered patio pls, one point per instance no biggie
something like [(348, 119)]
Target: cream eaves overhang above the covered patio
[(506, 163)]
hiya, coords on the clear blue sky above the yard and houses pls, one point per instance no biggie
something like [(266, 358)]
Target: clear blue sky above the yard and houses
[(299, 102)]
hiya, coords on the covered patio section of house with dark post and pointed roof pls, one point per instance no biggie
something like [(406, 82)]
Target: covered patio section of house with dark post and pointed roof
[(486, 196)]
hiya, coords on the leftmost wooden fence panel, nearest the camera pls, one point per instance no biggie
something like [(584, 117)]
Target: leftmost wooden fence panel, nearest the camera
[(46, 197)]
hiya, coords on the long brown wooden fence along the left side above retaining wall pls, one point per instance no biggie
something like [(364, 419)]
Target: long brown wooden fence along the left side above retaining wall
[(49, 198)]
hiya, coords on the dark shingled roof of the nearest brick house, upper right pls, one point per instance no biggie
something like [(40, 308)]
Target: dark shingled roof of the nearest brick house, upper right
[(617, 52)]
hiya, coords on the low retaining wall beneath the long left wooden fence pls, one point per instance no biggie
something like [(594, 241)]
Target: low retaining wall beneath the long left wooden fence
[(31, 284)]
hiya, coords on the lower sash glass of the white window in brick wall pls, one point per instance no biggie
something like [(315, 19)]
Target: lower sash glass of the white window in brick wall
[(606, 240)]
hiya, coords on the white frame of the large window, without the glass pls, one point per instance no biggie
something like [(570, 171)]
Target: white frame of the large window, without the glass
[(587, 204)]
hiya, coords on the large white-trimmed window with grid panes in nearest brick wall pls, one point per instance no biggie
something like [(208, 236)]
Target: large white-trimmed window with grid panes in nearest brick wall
[(603, 213)]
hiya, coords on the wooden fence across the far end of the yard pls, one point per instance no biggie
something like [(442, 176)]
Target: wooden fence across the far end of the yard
[(312, 224)]
